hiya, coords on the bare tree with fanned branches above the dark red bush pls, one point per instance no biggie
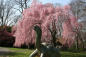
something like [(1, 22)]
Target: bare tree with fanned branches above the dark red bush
[(6, 12)]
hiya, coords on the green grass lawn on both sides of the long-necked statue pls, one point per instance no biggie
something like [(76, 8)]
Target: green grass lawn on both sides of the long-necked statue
[(18, 52)]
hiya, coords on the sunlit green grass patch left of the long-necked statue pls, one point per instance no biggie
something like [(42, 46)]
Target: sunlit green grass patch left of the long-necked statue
[(18, 52)]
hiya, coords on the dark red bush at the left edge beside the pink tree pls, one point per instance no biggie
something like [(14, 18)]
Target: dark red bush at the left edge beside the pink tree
[(6, 38)]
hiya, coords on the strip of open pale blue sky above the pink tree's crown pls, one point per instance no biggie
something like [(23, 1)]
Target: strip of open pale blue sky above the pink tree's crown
[(62, 2)]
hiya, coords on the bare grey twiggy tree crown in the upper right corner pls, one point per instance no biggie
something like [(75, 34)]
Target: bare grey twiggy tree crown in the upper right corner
[(78, 8)]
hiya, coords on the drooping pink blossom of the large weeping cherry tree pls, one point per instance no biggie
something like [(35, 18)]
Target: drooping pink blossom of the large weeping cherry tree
[(43, 15)]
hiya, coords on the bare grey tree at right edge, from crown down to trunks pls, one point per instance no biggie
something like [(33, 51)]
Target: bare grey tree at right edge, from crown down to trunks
[(78, 8)]
